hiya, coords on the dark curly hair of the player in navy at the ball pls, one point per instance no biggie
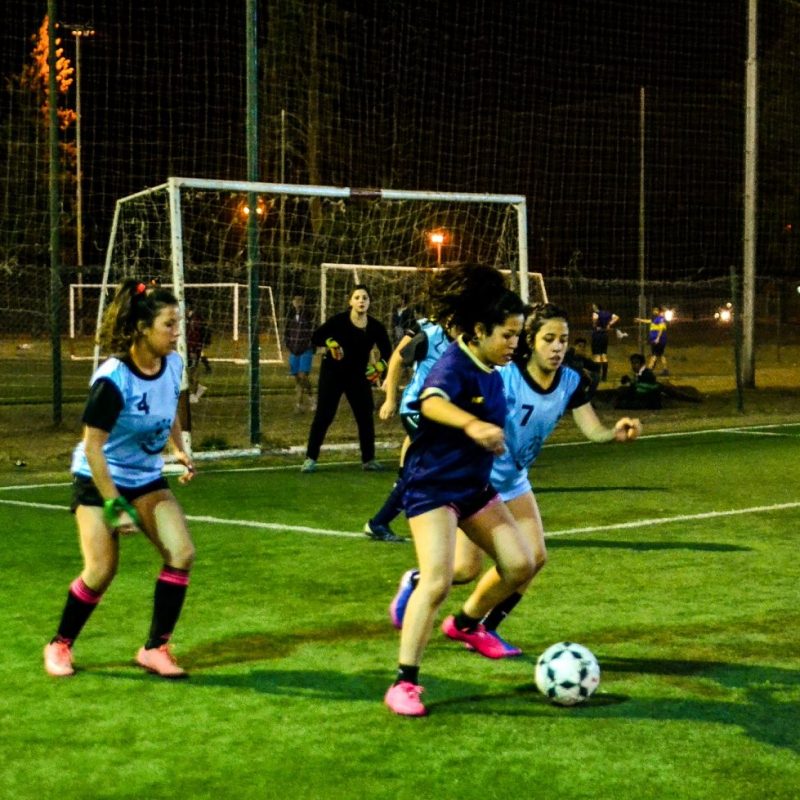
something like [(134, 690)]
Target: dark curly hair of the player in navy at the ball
[(469, 295)]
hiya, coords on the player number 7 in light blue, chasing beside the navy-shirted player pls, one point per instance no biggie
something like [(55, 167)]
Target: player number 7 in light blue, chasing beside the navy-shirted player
[(539, 389)]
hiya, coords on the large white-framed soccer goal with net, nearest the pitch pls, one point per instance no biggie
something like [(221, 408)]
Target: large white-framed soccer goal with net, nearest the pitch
[(207, 237)]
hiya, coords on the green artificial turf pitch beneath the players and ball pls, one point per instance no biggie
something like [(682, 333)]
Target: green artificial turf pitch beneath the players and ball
[(673, 559)]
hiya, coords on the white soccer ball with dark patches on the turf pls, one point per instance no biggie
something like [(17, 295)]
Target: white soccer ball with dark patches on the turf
[(567, 673)]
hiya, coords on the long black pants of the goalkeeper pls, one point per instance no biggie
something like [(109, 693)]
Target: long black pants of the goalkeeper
[(359, 394)]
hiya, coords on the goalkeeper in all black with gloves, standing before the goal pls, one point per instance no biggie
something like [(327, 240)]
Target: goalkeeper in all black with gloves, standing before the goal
[(347, 369)]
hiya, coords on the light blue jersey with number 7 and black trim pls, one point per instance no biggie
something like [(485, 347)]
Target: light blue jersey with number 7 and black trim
[(533, 413)]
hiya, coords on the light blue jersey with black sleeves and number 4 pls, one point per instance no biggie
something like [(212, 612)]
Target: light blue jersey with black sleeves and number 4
[(146, 406)]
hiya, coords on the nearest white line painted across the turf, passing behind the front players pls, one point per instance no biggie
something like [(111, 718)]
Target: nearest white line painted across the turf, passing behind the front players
[(275, 526)]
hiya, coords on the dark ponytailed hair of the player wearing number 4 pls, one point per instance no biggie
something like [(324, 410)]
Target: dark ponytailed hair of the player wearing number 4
[(134, 302)]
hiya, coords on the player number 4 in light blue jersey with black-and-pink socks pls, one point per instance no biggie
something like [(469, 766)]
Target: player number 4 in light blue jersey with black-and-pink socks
[(118, 489)]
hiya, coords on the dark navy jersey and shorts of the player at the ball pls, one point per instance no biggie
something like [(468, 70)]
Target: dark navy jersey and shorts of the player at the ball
[(443, 465)]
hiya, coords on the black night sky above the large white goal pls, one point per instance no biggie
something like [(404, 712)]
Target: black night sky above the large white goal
[(538, 98)]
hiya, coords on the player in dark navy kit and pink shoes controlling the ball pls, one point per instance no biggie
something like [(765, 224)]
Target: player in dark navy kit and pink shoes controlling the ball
[(447, 470)]
